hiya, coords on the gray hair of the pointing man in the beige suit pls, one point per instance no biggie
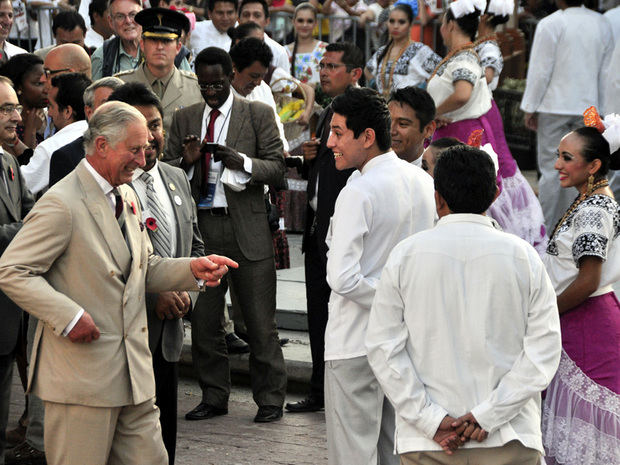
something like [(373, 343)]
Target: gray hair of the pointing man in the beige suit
[(110, 121)]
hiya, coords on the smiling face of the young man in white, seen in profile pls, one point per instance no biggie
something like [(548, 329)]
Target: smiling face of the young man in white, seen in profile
[(348, 151)]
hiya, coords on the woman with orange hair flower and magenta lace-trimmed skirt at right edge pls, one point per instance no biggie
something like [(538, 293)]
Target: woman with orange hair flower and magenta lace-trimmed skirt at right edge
[(581, 413)]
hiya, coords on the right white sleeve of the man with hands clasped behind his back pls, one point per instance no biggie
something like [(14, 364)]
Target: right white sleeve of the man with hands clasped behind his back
[(537, 363)]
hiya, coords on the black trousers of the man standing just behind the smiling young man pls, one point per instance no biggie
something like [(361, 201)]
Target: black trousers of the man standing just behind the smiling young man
[(317, 297)]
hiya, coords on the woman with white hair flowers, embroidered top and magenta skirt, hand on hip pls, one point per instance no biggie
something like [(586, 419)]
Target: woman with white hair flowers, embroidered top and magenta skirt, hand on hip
[(463, 101)]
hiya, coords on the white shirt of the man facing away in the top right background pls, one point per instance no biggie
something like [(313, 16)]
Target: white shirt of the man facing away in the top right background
[(570, 52)]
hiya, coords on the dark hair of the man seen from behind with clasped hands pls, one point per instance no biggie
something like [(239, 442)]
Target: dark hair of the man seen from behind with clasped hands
[(465, 178)]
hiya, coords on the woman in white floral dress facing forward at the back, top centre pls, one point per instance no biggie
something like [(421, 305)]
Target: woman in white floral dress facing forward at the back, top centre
[(305, 52)]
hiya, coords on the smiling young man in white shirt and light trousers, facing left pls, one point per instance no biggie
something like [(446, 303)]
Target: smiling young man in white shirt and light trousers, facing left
[(384, 202)]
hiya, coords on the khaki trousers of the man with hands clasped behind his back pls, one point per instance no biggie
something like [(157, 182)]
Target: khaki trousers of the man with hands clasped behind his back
[(511, 453)]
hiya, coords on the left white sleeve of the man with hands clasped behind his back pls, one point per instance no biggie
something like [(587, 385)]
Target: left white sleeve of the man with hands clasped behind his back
[(386, 345)]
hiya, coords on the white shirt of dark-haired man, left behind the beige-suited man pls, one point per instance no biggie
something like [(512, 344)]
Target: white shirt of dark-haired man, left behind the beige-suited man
[(37, 171)]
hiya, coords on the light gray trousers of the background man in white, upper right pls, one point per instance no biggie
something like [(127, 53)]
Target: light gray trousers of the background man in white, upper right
[(554, 199)]
